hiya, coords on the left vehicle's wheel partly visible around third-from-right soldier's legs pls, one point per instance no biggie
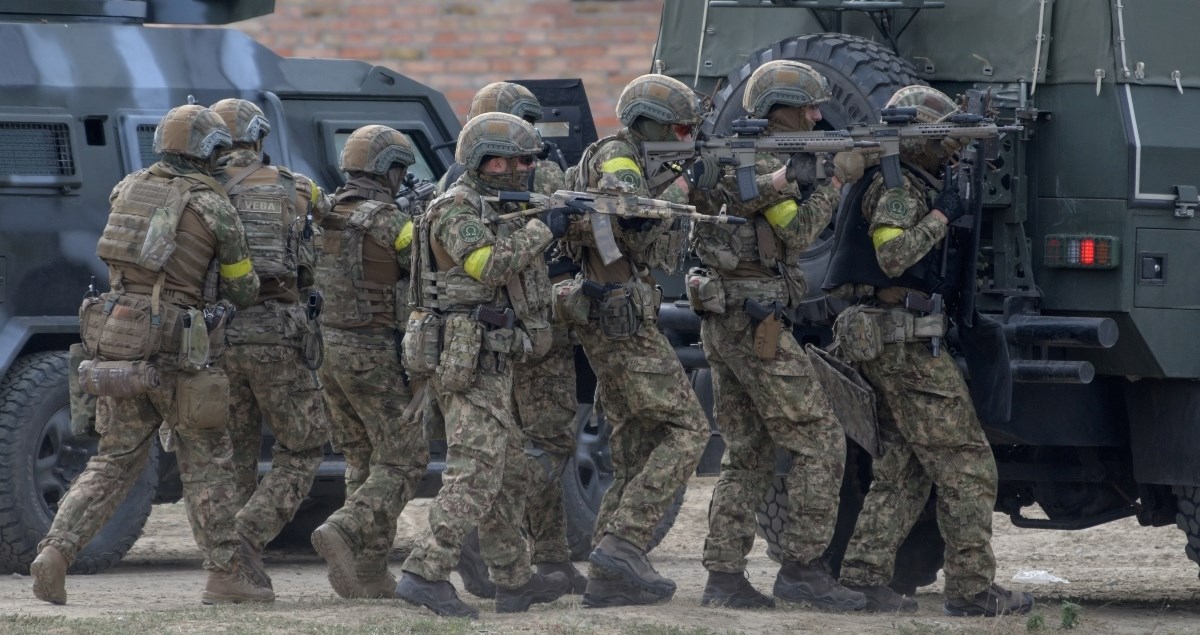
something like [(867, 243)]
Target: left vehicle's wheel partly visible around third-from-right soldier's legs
[(587, 477)]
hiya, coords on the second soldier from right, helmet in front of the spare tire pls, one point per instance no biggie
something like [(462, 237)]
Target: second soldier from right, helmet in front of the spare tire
[(765, 388)]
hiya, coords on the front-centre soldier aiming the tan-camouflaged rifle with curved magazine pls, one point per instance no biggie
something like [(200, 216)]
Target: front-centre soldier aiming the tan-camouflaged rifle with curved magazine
[(485, 290)]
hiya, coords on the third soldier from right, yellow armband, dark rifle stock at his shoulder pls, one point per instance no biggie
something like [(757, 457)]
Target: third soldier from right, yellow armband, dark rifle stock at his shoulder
[(658, 427)]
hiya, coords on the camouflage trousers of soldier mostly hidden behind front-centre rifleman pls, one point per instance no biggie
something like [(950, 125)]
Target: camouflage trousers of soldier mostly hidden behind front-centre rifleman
[(547, 403)]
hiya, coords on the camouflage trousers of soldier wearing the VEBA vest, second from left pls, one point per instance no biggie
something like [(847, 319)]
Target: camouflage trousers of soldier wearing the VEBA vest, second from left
[(269, 384)]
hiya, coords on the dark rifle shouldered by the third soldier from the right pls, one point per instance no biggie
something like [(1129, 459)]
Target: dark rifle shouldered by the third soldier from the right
[(667, 160)]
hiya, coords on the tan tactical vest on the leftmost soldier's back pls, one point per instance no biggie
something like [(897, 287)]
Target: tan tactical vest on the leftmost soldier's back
[(141, 233)]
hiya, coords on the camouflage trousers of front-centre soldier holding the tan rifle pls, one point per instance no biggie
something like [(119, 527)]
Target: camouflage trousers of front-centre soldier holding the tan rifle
[(485, 483)]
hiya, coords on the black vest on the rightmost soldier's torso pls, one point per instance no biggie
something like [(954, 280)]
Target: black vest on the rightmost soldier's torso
[(854, 259)]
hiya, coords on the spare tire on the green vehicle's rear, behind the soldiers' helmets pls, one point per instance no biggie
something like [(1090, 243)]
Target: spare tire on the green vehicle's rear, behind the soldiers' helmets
[(862, 75)]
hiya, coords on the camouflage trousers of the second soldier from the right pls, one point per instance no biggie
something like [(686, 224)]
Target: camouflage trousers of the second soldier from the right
[(761, 406)]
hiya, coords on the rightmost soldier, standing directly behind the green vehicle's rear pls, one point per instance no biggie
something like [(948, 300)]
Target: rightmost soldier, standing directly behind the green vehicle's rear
[(928, 422)]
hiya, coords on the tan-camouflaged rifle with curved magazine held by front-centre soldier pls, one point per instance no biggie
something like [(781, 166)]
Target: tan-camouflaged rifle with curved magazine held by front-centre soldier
[(603, 207)]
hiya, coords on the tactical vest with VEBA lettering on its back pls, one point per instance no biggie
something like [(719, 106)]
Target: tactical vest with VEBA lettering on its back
[(265, 197)]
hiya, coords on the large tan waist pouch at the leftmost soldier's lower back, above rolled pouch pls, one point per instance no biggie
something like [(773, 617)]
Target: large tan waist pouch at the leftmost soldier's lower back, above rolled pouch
[(121, 327)]
